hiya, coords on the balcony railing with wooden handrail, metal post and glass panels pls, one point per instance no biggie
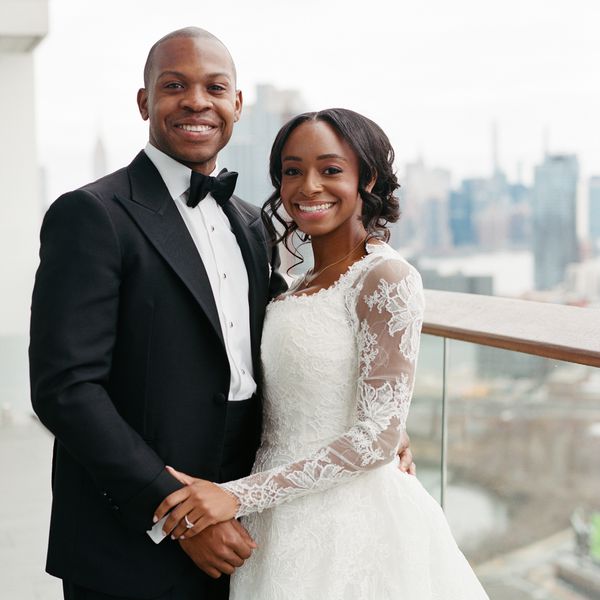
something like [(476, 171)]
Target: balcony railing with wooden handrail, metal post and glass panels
[(505, 425)]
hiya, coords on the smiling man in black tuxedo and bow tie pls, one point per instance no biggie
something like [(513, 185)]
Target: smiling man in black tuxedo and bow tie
[(146, 319)]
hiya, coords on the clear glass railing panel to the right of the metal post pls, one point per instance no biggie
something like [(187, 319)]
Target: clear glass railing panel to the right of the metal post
[(523, 468)]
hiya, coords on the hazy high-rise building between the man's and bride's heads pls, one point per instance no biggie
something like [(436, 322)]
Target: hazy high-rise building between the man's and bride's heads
[(249, 148)]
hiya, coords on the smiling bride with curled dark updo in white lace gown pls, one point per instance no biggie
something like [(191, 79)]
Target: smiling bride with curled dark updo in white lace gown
[(332, 515)]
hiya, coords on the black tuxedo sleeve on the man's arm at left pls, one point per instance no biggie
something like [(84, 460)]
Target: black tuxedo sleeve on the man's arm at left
[(74, 316)]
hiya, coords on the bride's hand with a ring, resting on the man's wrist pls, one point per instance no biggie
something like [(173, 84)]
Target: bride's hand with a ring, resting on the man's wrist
[(195, 507)]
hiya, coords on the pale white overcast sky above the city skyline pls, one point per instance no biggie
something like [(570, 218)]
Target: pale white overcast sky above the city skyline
[(434, 74)]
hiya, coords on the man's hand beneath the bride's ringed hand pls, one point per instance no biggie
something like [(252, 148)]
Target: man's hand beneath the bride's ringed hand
[(221, 548)]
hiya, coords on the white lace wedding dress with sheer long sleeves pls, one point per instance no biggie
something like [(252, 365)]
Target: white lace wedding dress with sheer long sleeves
[(333, 517)]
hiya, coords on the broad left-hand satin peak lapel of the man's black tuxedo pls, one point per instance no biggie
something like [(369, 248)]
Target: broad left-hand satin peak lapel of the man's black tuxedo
[(153, 209)]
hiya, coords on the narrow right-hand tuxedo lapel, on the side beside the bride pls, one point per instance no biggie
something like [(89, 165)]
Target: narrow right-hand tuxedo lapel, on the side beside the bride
[(254, 257)]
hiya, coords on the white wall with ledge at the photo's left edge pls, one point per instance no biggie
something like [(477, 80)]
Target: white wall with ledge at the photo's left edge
[(22, 24)]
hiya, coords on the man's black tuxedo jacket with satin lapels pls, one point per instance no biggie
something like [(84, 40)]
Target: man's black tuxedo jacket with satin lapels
[(129, 371)]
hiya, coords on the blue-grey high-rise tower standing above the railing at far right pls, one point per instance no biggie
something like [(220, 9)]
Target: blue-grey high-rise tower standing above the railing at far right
[(554, 219)]
